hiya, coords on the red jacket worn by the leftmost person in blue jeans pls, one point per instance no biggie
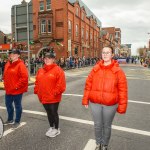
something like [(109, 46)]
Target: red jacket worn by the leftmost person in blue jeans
[(15, 77)]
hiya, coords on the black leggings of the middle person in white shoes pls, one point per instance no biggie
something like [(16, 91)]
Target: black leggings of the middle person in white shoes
[(52, 114)]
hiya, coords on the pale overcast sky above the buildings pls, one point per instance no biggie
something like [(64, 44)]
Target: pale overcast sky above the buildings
[(131, 16)]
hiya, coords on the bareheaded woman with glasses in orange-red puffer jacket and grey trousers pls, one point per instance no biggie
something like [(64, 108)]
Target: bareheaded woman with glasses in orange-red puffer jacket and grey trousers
[(106, 93)]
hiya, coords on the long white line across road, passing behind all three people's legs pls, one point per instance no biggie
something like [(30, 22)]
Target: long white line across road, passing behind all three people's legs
[(130, 130)]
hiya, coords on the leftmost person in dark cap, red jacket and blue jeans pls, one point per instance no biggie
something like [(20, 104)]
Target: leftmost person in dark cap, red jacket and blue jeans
[(15, 83)]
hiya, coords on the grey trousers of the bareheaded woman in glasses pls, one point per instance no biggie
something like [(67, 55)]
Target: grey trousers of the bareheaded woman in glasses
[(103, 117)]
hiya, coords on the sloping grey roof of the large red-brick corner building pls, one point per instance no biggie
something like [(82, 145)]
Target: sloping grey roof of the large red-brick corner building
[(88, 11)]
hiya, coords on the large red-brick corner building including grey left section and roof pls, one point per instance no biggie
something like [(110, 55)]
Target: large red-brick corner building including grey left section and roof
[(66, 25)]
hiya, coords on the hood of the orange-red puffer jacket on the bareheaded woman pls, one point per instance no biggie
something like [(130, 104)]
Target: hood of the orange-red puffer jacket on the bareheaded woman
[(114, 66)]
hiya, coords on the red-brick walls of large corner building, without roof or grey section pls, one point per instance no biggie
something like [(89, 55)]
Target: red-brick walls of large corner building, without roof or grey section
[(83, 37)]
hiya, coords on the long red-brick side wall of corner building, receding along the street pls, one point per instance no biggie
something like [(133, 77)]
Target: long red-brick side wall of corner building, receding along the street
[(87, 40)]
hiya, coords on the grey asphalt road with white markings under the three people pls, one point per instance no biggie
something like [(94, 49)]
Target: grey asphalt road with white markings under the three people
[(130, 131)]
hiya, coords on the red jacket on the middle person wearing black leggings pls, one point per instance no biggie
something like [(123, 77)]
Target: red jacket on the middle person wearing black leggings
[(50, 84)]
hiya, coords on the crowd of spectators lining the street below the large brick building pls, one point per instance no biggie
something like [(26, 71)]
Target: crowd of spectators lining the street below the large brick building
[(65, 63)]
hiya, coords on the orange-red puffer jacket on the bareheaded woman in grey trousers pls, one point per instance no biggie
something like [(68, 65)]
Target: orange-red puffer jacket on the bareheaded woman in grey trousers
[(106, 85)]
